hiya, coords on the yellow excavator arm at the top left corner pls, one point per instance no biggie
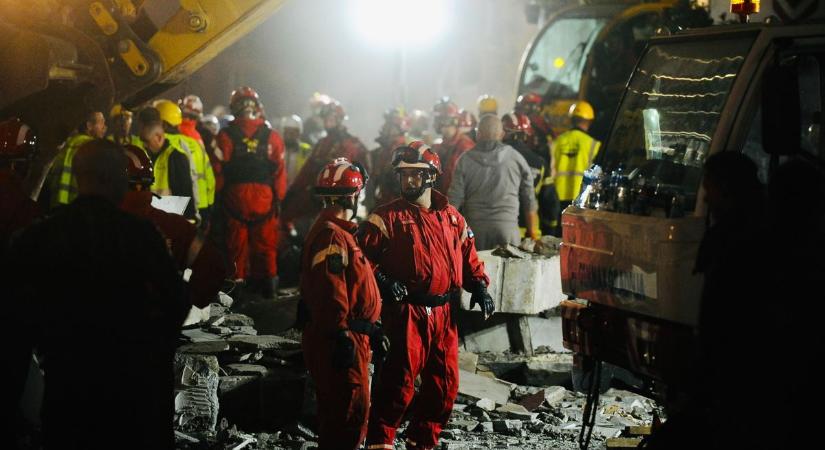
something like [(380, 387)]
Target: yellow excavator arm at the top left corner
[(60, 59)]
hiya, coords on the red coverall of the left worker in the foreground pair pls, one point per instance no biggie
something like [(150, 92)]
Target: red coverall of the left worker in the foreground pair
[(336, 292)]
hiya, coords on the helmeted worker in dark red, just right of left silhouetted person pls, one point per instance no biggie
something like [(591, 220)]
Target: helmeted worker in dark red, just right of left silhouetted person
[(189, 248)]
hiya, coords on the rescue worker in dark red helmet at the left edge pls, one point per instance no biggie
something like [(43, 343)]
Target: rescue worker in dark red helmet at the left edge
[(17, 149)]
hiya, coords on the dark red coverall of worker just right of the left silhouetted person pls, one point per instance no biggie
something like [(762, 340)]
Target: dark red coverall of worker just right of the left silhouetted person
[(187, 248)]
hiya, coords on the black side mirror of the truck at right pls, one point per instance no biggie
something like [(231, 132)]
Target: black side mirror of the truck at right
[(781, 117)]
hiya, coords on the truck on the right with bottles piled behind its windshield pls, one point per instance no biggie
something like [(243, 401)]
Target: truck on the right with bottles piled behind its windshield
[(631, 238)]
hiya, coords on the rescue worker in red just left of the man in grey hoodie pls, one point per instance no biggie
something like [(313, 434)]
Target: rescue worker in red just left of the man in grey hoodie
[(453, 143)]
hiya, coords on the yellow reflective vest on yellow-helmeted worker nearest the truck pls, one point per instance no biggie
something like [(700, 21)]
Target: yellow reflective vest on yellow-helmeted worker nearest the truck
[(573, 152)]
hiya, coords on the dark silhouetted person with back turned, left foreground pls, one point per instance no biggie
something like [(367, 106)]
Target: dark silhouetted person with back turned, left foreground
[(97, 294)]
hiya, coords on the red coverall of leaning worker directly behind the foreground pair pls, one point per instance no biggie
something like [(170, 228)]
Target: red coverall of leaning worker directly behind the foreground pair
[(300, 202)]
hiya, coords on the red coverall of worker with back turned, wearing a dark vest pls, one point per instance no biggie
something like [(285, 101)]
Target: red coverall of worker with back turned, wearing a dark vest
[(252, 222)]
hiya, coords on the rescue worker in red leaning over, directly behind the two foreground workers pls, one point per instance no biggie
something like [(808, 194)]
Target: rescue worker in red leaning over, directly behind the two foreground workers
[(299, 208)]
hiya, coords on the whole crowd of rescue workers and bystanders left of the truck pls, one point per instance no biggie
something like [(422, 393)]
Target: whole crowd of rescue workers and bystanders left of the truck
[(389, 239)]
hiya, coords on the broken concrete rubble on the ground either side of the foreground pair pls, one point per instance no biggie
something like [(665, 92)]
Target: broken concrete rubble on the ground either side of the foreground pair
[(238, 388)]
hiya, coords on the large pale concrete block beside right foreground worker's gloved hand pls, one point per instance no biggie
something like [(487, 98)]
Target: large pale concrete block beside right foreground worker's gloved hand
[(521, 285)]
